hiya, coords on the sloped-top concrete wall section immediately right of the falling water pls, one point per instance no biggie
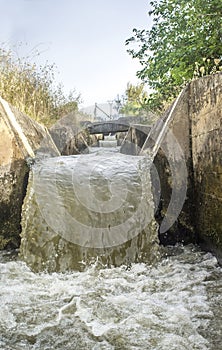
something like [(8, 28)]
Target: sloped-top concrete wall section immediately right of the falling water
[(169, 145)]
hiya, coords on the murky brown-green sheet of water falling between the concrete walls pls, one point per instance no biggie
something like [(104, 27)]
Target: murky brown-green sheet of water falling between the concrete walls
[(83, 208)]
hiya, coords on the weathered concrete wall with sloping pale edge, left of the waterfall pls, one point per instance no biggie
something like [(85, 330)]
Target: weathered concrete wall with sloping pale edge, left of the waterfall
[(21, 139)]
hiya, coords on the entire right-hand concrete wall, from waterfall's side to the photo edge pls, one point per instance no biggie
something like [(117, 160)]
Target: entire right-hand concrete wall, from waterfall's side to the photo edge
[(194, 130)]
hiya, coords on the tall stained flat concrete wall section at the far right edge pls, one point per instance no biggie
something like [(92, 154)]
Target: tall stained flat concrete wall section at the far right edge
[(205, 109)]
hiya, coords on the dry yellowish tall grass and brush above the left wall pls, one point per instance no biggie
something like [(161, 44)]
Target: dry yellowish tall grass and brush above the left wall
[(32, 89)]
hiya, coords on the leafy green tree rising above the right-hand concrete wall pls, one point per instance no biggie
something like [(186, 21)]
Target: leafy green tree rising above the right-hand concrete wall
[(186, 36)]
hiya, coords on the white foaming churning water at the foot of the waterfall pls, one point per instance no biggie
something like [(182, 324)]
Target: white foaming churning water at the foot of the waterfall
[(173, 305)]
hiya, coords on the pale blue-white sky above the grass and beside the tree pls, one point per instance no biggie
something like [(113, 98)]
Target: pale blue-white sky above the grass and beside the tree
[(84, 38)]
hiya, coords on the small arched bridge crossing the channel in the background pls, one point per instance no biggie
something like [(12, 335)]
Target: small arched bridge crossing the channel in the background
[(108, 127)]
